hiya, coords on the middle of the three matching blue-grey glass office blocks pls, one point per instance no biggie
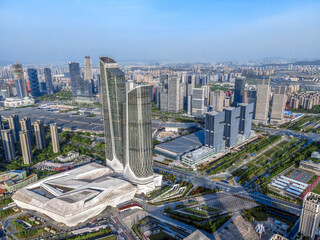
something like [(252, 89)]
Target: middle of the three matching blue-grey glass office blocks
[(231, 127)]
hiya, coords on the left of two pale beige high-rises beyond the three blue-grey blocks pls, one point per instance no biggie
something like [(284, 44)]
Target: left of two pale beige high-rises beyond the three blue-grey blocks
[(262, 103)]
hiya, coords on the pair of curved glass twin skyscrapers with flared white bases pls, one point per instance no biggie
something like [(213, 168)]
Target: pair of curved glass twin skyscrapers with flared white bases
[(127, 122)]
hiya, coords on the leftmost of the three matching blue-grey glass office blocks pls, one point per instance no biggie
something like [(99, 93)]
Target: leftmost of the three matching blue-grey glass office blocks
[(214, 126)]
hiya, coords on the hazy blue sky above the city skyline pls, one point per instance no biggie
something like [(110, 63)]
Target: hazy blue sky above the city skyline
[(42, 31)]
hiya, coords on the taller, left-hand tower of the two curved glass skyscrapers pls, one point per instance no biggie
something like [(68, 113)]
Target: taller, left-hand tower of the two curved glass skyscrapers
[(113, 86)]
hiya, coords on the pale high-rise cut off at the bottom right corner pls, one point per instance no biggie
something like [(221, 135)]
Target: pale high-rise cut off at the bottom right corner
[(310, 216)]
